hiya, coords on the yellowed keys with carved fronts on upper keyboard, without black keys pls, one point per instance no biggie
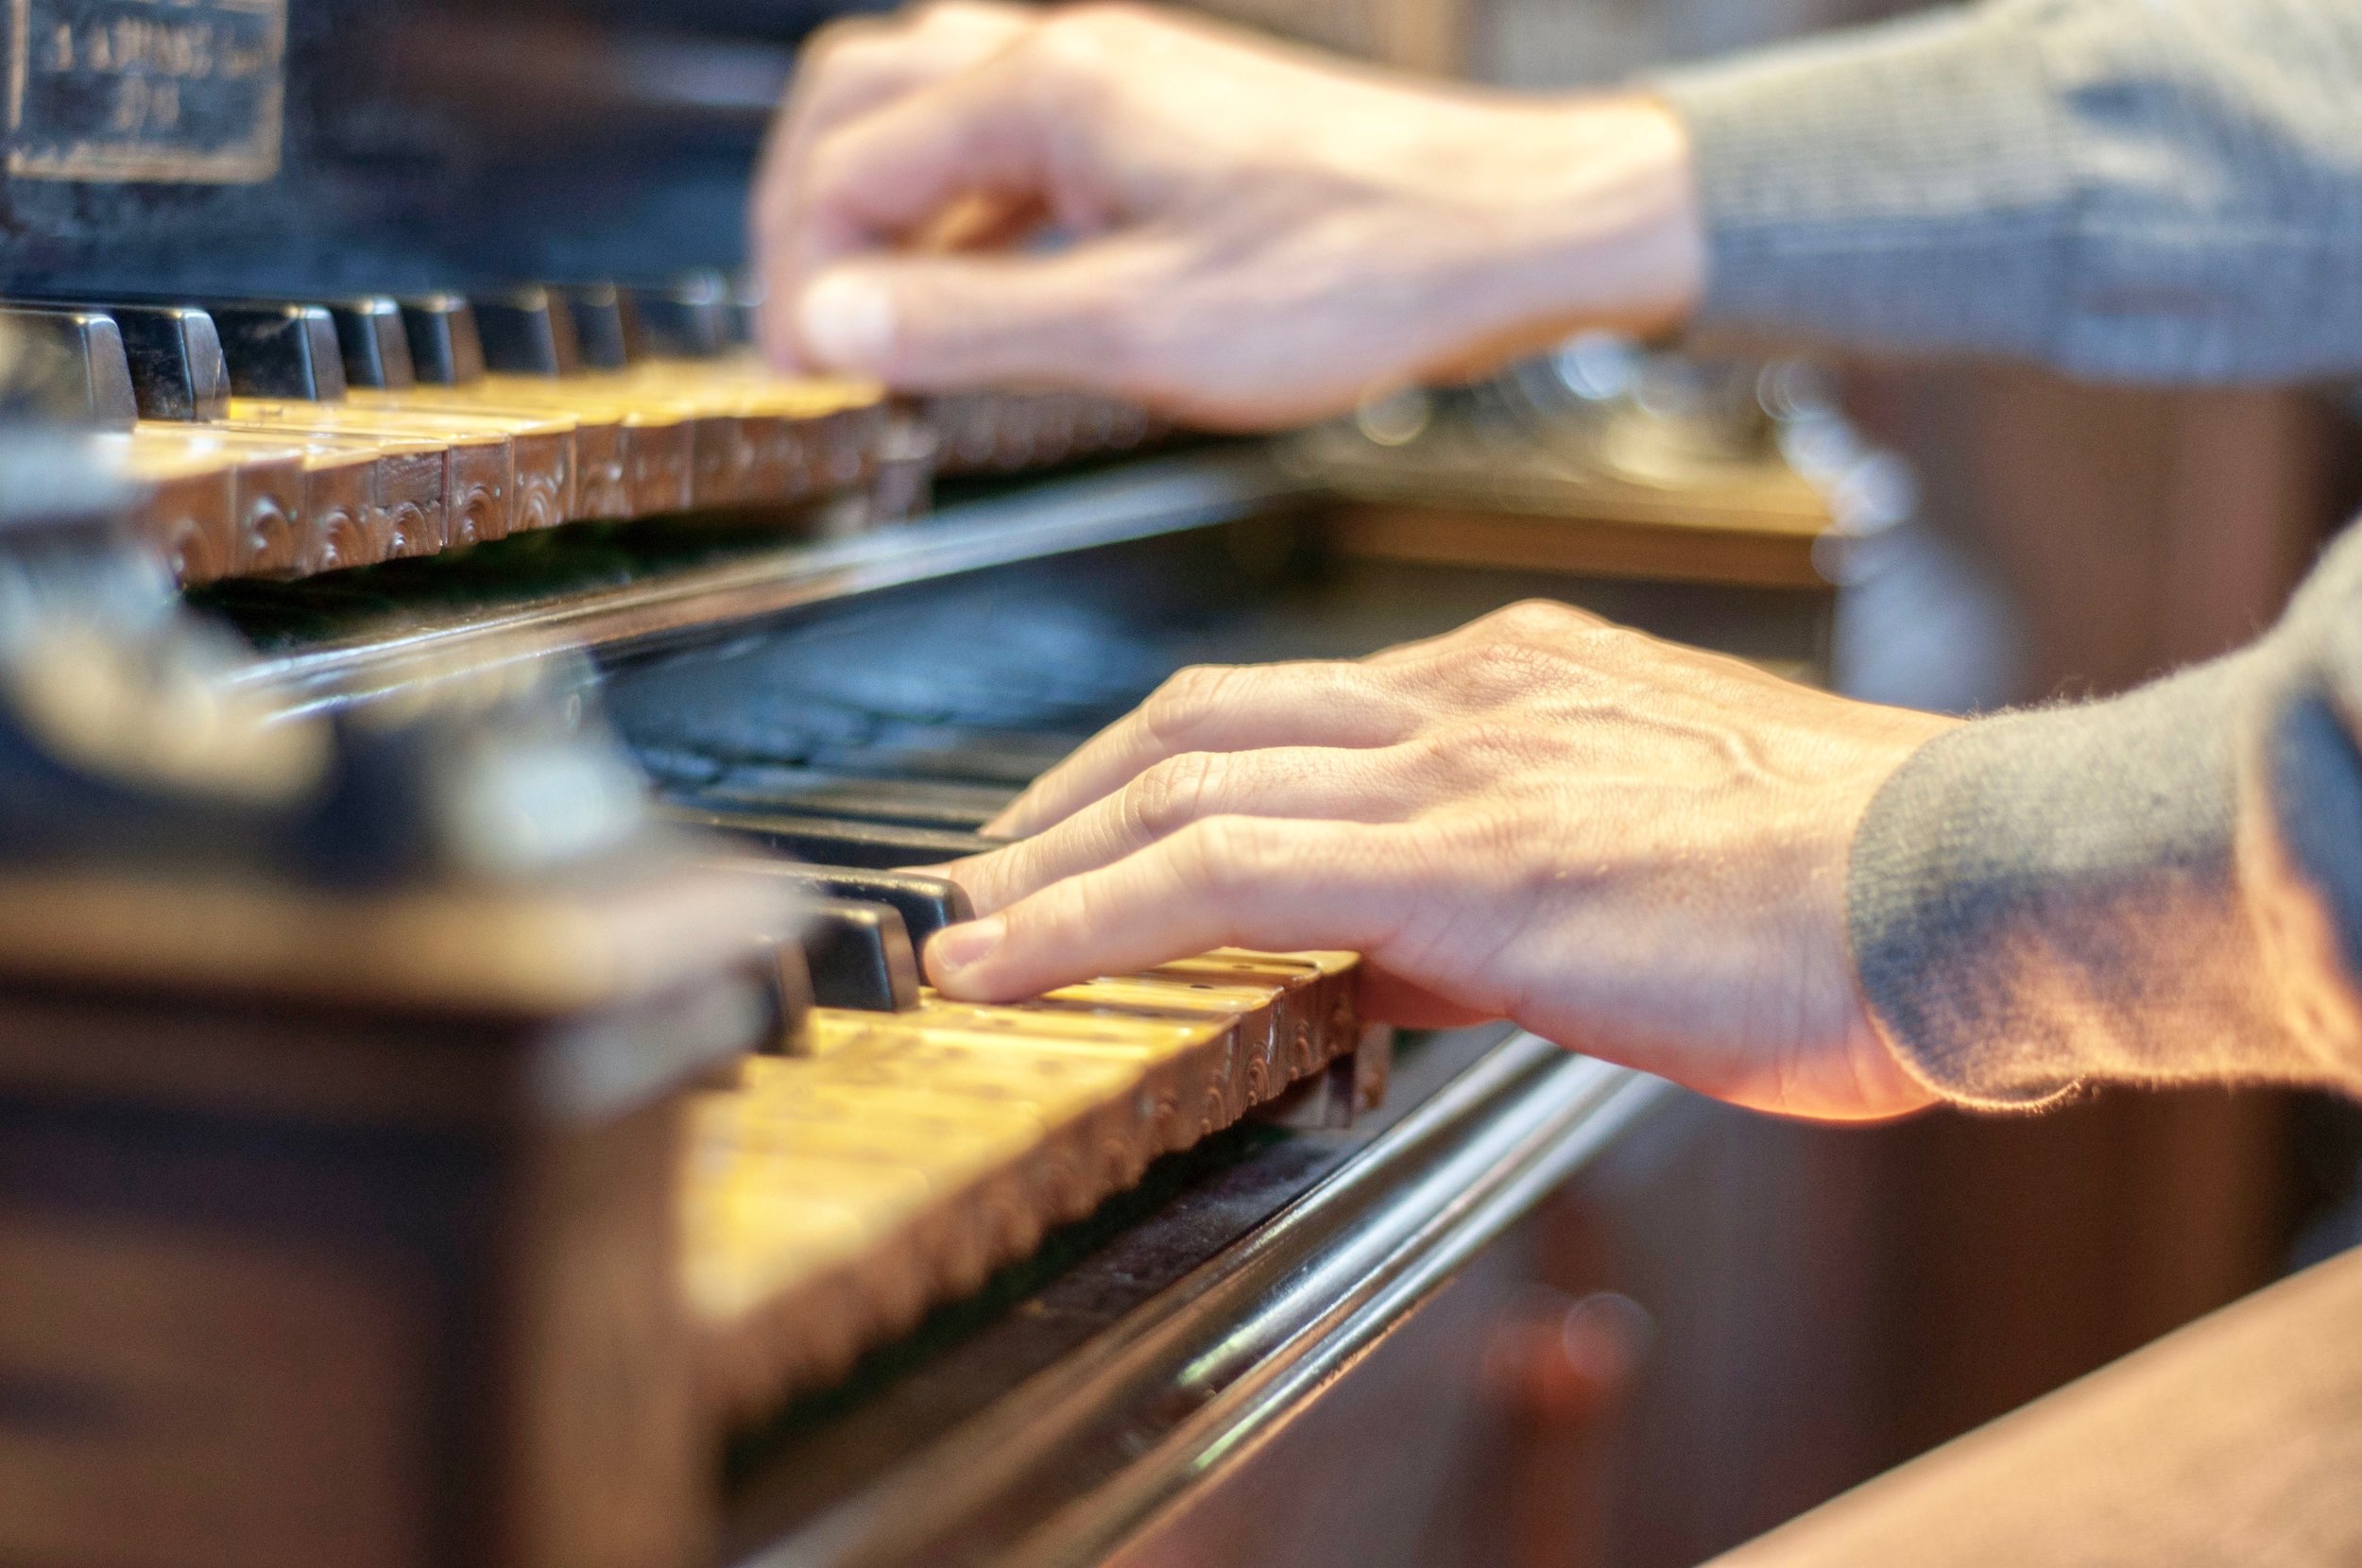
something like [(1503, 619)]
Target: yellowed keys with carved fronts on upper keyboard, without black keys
[(448, 466)]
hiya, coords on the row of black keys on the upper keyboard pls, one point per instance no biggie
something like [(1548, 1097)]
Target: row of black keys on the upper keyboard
[(190, 360)]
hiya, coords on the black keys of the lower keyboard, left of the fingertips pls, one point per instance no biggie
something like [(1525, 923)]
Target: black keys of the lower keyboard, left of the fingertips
[(849, 837)]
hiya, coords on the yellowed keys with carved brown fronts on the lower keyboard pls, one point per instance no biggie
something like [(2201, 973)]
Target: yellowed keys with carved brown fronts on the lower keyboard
[(894, 1161)]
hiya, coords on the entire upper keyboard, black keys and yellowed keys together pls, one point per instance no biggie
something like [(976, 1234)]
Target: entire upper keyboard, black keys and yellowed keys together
[(296, 438)]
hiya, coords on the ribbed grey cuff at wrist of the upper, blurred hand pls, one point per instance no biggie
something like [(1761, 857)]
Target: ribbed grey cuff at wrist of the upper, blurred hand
[(1900, 185)]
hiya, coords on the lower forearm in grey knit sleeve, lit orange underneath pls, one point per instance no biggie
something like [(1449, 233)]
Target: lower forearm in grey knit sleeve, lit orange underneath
[(2153, 889)]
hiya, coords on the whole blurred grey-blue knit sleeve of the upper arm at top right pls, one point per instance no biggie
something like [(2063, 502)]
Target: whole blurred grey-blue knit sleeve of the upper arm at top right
[(2120, 188)]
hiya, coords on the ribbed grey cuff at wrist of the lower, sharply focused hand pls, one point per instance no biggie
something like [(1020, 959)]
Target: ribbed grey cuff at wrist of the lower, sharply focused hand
[(2047, 899)]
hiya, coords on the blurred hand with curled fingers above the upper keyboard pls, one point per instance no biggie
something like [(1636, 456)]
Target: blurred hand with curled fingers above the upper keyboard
[(1255, 235)]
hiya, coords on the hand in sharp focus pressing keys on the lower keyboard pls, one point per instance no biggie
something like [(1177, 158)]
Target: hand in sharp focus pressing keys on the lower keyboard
[(1626, 847)]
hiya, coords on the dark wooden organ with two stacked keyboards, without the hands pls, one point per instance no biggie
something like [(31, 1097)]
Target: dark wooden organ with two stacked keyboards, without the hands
[(474, 1102)]
